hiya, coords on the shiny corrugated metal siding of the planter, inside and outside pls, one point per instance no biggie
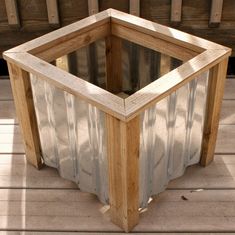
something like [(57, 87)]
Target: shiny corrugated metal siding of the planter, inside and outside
[(73, 133)]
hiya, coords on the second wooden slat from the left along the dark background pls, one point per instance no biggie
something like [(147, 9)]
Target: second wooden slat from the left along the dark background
[(53, 13)]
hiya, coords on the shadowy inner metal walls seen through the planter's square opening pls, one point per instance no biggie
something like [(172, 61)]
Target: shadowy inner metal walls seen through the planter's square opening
[(139, 65)]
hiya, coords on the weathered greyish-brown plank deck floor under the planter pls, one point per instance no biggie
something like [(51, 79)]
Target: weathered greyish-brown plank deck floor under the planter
[(40, 202)]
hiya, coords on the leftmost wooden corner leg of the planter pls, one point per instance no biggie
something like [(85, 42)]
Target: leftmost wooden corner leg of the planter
[(21, 88)]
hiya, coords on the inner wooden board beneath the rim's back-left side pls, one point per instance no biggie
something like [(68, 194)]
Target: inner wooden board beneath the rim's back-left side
[(73, 44)]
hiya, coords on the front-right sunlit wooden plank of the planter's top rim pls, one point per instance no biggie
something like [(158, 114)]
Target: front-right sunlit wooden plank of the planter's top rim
[(172, 81)]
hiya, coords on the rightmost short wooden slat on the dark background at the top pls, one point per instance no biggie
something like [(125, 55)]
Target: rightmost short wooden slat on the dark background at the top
[(216, 12)]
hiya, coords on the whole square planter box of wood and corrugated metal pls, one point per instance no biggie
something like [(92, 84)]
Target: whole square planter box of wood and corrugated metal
[(136, 144)]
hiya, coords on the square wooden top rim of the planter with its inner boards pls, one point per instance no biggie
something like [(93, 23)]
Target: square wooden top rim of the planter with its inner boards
[(200, 54)]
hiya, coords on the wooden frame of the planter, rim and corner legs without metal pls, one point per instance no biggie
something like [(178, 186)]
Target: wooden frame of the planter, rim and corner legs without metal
[(122, 115)]
